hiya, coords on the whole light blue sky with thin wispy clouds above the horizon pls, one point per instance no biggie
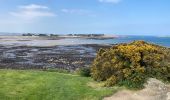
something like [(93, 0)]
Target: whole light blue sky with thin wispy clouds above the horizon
[(122, 17)]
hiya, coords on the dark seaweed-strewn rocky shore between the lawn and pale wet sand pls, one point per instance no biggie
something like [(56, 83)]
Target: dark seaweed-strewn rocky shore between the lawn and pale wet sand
[(69, 57)]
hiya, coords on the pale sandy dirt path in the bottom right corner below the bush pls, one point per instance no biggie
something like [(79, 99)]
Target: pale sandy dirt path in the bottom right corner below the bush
[(154, 90)]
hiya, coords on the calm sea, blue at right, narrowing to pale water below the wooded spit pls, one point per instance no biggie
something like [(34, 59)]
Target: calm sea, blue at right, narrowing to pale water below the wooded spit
[(163, 41)]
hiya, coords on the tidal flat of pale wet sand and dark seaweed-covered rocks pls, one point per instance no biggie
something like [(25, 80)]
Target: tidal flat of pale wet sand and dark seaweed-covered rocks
[(18, 52)]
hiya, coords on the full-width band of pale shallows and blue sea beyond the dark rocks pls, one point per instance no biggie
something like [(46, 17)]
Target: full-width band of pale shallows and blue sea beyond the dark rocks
[(32, 41)]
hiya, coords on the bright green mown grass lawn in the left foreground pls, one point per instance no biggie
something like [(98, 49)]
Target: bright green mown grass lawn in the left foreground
[(41, 85)]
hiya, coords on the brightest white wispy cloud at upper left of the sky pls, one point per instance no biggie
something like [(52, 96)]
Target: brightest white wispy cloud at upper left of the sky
[(32, 11)]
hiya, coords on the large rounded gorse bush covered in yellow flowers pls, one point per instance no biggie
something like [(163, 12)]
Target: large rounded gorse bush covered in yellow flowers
[(131, 64)]
